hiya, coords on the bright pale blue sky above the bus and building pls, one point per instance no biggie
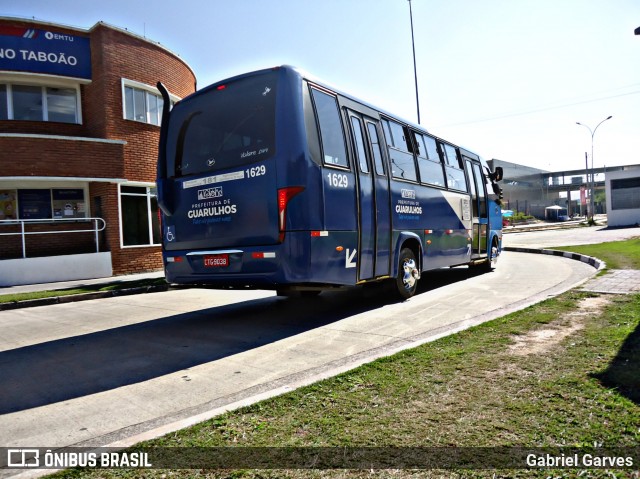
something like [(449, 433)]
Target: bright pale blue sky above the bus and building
[(507, 79)]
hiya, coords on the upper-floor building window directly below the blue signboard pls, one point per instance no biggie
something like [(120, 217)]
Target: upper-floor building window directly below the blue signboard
[(39, 103)]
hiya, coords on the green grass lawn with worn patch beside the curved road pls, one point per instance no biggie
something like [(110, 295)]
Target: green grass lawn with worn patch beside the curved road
[(565, 372)]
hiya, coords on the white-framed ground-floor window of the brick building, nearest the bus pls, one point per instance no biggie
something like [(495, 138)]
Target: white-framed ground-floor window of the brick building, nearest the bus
[(140, 223)]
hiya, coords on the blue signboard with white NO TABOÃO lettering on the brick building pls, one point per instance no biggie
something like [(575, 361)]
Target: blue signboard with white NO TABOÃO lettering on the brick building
[(44, 51)]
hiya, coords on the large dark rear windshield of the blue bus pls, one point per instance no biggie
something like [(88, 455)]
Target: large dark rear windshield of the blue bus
[(223, 127)]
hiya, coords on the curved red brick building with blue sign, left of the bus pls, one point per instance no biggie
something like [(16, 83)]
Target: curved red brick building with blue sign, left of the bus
[(79, 128)]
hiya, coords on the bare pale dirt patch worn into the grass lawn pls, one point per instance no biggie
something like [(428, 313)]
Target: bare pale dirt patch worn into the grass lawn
[(541, 340)]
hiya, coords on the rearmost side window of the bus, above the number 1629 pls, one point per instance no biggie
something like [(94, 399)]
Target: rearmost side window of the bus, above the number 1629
[(331, 134)]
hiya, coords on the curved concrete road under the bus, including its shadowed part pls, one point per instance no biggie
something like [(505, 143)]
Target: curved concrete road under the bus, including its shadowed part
[(122, 369)]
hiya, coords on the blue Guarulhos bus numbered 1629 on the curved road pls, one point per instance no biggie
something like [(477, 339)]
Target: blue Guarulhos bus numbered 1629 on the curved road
[(274, 180)]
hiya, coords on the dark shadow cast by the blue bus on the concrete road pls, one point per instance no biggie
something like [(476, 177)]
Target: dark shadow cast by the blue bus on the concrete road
[(78, 366)]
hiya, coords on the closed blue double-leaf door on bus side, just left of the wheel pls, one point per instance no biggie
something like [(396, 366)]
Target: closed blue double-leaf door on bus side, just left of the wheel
[(372, 198)]
